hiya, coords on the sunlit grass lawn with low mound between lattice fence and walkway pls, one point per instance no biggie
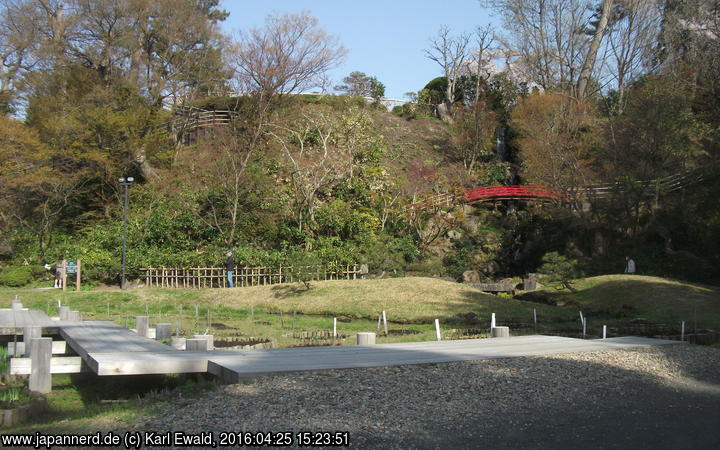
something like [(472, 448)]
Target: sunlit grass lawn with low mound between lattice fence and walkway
[(411, 303)]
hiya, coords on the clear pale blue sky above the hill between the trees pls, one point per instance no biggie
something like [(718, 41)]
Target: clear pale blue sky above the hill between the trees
[(385, 39)]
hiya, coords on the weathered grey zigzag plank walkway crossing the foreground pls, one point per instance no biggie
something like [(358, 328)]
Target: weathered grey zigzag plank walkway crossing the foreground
[(109, 349)]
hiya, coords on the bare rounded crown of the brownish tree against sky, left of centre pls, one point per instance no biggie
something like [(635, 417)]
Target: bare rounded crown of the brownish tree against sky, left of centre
[(289, 54)]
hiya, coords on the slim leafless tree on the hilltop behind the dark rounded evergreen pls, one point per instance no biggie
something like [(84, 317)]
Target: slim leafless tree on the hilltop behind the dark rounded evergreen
[(451, 53)]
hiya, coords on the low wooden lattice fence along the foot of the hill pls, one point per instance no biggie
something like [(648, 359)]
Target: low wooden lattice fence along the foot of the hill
[(216, 277)]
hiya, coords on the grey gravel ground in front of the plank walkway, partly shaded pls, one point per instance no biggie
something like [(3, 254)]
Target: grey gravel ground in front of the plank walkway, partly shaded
[(655, 398)]
